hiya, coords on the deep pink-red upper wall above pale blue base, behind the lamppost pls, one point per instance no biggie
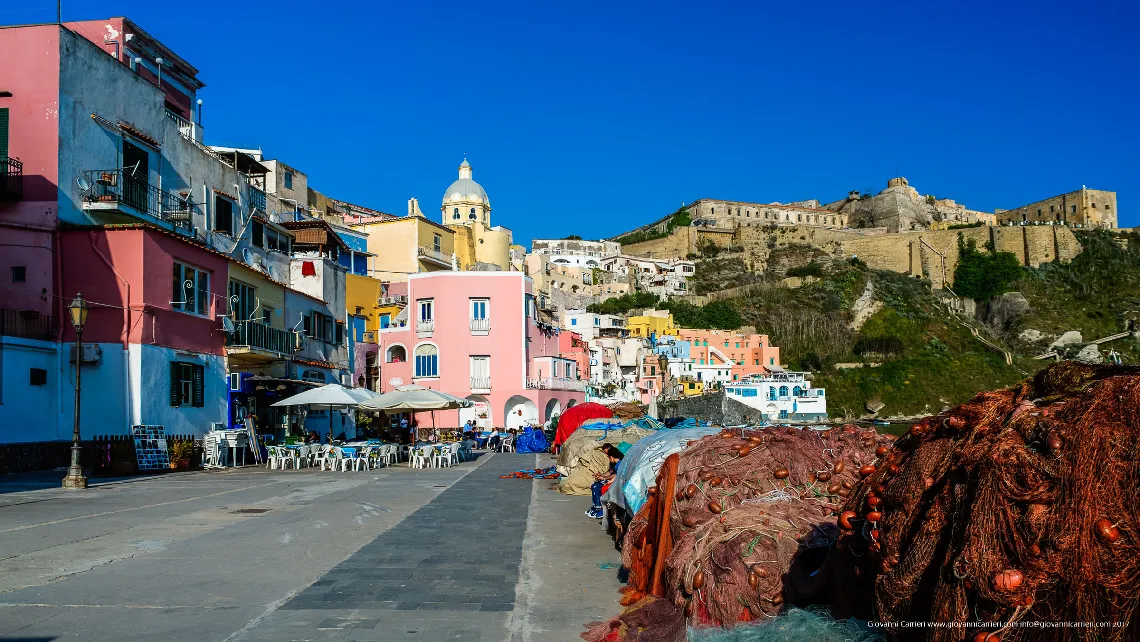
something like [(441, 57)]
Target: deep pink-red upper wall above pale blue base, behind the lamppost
[(144, 259)]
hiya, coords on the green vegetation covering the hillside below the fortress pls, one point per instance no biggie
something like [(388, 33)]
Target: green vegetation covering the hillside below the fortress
[(907, 351)]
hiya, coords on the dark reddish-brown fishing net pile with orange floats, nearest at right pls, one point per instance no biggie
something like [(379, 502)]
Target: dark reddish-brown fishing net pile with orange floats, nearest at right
[(1017, 507)]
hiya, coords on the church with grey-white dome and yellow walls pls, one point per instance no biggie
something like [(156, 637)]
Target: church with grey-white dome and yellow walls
[(468, 212)]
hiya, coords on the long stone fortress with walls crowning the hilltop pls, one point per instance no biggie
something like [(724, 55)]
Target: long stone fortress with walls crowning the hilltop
[(897, 230)]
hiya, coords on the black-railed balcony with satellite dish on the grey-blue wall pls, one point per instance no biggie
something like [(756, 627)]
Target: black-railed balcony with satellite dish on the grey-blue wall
[(117, 191)]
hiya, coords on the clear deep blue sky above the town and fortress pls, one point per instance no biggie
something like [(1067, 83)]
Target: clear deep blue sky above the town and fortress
[(590, 118)]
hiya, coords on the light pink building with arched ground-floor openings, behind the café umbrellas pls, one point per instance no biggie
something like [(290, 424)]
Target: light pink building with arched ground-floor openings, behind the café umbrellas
[(476, 335)]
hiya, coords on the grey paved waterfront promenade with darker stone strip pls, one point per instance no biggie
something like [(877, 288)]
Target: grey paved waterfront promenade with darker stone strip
[(255, 555)]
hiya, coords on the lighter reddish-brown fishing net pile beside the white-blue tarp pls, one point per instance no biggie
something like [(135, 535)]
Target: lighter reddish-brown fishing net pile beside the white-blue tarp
[(747, 521)]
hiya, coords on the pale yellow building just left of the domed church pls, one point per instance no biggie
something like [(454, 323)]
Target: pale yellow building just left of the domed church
[(405, 246)]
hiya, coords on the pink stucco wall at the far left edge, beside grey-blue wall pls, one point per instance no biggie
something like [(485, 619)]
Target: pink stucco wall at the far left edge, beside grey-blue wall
[(34, 137)]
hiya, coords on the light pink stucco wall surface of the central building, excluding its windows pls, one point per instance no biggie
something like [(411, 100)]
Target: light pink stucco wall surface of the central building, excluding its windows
[(512, 343)]
